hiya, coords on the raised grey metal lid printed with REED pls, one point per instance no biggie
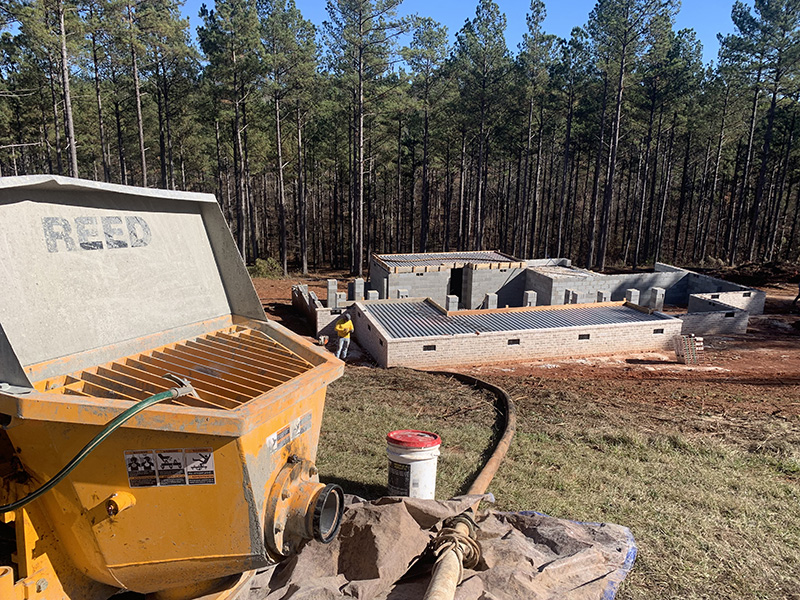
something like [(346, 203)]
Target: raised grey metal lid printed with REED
[(87, 265)]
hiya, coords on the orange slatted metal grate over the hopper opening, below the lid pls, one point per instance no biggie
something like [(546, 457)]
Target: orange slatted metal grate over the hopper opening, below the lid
[(228, 368)]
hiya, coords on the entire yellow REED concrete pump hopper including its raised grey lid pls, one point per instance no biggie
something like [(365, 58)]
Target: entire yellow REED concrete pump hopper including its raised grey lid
[(110, 295)]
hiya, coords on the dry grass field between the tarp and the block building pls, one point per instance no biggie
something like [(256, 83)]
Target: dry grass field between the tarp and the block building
[(711, 494)]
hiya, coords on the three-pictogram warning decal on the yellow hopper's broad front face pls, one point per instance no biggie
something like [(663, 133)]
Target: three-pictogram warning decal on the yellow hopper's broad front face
[(170, 467)]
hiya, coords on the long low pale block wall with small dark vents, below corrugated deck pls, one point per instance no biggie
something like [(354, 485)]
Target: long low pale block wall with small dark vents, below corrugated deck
[(524, 345)]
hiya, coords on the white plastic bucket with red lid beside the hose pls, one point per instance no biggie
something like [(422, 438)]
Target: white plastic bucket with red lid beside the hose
[(412, 463)]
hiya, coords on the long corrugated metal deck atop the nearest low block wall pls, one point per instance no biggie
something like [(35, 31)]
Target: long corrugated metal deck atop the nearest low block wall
[(420, 319)]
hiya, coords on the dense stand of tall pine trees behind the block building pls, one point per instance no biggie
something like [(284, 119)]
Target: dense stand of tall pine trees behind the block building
[(375, 133)]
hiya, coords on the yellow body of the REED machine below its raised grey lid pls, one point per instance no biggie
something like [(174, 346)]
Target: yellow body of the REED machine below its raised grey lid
[(185, 494)]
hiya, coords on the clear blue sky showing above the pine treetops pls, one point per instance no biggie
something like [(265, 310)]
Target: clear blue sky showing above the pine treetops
[(706, 17)]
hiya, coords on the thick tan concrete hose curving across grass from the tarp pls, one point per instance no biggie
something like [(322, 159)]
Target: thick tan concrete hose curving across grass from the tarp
[(455, 546)]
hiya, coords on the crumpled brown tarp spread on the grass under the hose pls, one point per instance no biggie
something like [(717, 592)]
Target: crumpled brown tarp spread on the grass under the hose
[(525, 556)]
